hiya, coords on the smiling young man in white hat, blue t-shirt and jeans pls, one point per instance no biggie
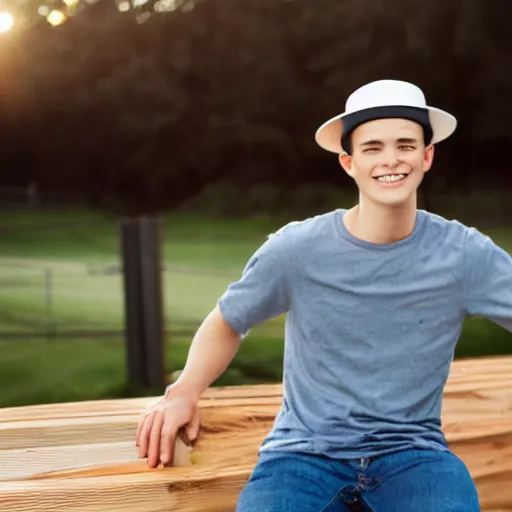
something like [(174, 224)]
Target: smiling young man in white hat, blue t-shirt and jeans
[(375, 297)]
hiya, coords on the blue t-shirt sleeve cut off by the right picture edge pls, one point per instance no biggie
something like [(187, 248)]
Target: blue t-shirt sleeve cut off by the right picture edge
[(487, 279)]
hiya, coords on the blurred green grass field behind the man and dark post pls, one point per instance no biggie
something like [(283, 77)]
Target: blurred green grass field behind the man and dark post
[(61, 303)]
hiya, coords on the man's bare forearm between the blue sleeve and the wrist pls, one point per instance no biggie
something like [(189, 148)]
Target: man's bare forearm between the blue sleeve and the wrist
[(214, 346)]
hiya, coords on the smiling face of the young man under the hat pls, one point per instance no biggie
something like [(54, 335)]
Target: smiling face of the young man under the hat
[(388, 160)]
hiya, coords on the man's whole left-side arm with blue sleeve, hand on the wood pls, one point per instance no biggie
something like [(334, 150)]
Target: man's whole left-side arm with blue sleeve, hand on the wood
[(261, 293)]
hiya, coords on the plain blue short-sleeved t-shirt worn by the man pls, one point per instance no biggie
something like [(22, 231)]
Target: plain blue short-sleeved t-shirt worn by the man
[(370, 328)]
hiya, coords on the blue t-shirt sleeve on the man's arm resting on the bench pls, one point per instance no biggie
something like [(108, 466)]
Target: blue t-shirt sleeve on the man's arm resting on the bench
[(262, 292)]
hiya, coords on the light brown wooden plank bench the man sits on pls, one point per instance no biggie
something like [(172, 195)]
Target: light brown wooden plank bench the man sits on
[(81, 456)]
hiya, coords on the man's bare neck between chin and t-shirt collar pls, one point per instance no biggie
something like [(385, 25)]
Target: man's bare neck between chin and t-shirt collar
[(379, 223)]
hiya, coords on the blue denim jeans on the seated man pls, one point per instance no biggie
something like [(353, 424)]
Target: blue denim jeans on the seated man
[(411, 480)]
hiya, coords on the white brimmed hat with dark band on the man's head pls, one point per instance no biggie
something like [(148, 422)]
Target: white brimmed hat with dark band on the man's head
[(380, 99)]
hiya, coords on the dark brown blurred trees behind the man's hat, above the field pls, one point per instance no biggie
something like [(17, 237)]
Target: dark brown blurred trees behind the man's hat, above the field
[(141, 116)]
